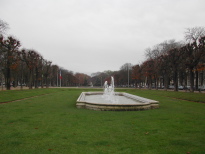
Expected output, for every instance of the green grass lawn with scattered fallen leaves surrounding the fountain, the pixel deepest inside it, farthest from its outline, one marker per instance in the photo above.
(52, 124)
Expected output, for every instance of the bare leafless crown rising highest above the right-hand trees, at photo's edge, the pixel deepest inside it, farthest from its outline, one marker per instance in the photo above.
(193, 34)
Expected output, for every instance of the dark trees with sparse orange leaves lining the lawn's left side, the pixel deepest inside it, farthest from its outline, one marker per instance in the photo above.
(28, 67)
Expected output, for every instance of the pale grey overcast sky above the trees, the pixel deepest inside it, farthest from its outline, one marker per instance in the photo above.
(88, 36)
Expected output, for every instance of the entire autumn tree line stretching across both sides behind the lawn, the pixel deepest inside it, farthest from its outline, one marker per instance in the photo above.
(168, 64)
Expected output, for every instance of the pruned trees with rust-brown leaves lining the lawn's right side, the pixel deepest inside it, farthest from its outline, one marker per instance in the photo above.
(174, 63)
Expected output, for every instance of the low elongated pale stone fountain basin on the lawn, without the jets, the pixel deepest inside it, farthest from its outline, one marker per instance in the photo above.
(124, 102)
